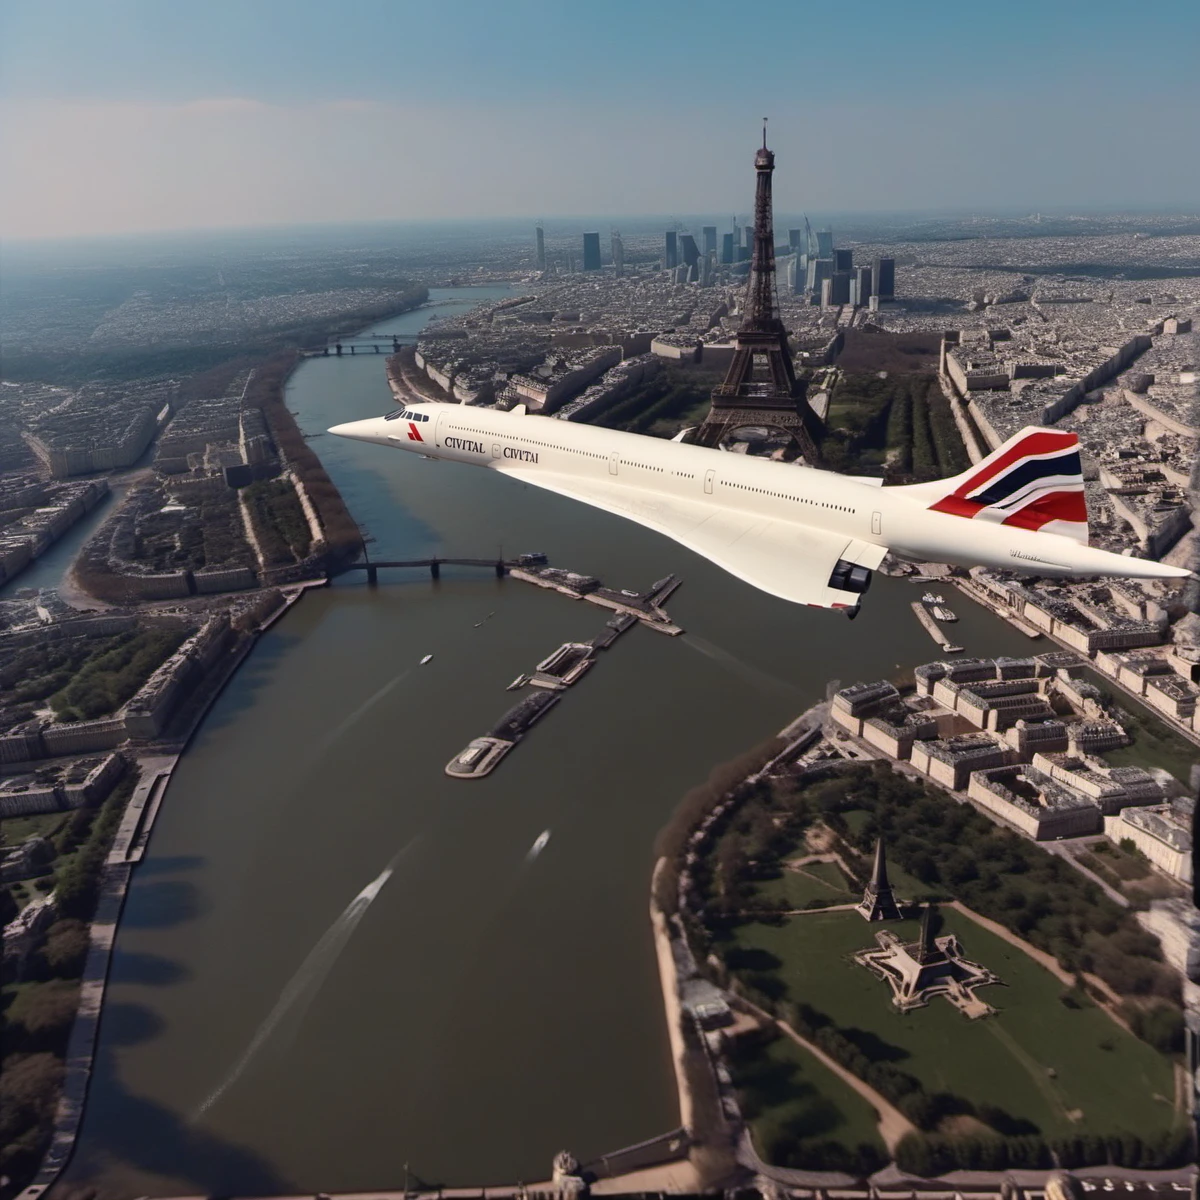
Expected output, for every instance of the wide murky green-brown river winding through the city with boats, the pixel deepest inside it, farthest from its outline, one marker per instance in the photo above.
(335, 961)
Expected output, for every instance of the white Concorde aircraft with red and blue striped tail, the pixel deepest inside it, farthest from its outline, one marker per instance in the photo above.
(808, 536)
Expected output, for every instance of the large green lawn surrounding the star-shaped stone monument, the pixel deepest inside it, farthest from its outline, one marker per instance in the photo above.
(1115, 1081)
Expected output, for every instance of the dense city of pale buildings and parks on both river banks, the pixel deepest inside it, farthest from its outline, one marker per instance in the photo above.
(1051, 859)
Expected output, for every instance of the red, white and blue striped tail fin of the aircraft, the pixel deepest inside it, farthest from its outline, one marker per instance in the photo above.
(1034, 482)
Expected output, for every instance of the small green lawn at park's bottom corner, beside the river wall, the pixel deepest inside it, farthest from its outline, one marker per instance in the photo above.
(785, 1088)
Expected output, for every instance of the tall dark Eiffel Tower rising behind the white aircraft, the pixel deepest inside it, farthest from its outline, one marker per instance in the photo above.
(760, 387)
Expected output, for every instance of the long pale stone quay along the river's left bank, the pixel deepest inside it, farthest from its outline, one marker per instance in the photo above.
(127, 851)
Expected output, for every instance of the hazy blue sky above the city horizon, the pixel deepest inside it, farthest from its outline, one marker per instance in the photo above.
(124, 116)
